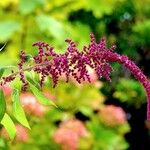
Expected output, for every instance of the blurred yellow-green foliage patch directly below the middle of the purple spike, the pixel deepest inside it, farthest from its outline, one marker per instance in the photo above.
(72, 98)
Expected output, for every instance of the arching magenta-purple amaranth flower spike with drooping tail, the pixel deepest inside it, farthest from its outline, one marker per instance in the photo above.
(74, 64)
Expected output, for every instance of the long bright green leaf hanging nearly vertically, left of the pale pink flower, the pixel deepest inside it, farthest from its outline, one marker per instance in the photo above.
(18, 111)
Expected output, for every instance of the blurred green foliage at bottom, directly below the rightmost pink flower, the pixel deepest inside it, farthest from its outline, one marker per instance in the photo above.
(111, 138)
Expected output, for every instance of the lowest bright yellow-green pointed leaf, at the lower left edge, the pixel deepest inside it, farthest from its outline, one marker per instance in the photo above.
(9, 126)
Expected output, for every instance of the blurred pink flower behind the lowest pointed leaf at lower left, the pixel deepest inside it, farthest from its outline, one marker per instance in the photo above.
(22, 134)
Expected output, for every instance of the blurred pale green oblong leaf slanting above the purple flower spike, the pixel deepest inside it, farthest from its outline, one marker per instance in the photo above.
(50, 26)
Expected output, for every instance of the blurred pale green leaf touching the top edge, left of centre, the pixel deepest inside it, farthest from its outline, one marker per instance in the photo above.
(28, 6)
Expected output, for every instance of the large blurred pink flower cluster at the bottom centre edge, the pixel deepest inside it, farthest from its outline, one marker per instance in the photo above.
(69, 134)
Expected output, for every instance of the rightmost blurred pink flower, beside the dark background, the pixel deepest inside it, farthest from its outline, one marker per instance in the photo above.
(112, 115)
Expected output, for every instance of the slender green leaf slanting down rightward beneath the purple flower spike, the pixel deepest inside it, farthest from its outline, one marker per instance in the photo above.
(40, 97)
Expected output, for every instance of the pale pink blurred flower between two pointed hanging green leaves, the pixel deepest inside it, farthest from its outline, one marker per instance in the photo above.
(31, 105)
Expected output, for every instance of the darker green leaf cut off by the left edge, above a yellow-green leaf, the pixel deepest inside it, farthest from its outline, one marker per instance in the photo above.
(2, 105)
